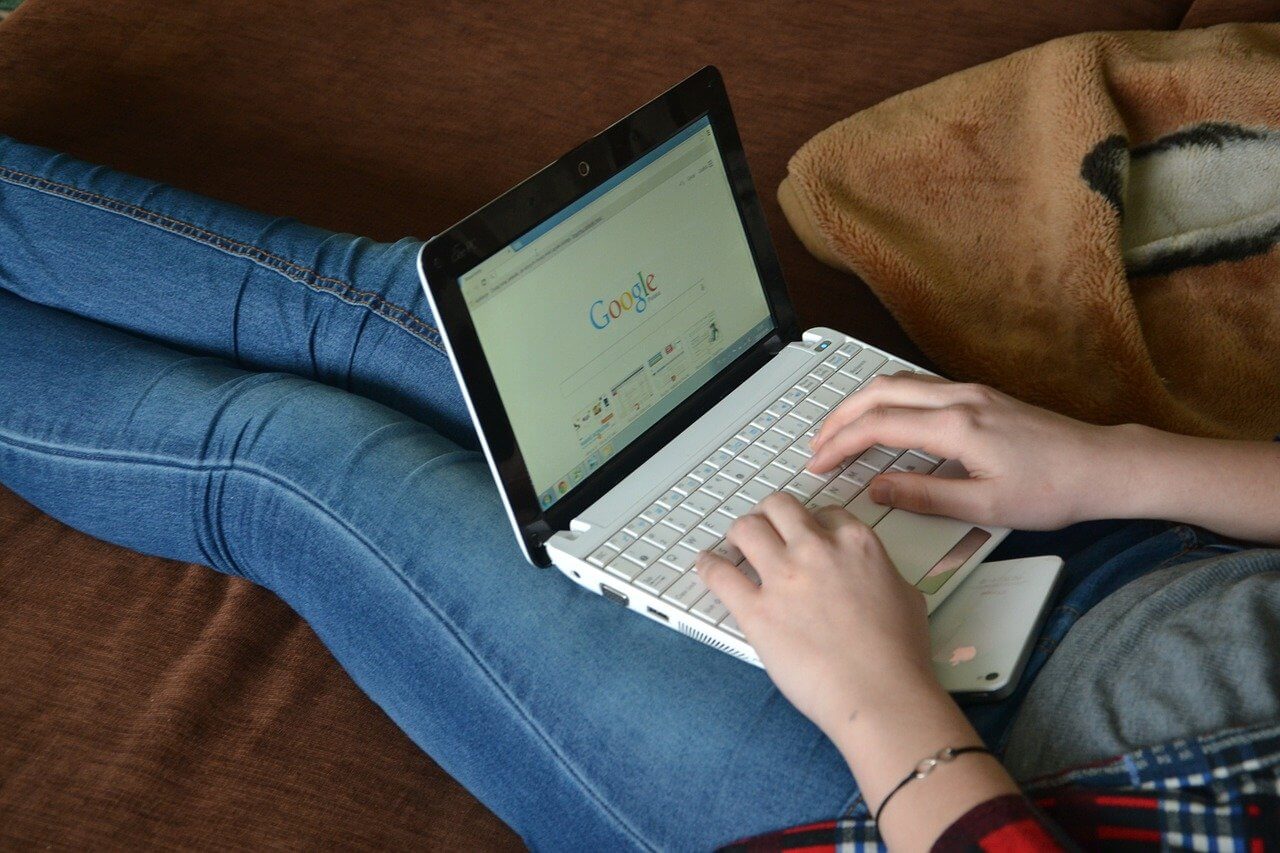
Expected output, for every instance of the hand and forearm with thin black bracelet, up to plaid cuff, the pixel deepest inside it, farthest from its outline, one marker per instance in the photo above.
(847, 641)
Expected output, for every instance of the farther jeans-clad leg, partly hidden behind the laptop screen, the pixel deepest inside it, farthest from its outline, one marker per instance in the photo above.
(207, 277)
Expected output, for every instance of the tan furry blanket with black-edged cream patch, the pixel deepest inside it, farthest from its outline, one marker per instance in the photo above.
(1089, 225)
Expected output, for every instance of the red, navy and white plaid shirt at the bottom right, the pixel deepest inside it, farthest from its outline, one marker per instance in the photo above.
(1213, 793)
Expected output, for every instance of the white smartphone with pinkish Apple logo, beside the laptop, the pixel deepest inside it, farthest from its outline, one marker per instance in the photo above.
(982, 635)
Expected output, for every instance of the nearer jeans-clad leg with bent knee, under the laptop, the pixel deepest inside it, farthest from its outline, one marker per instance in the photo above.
(575, 722)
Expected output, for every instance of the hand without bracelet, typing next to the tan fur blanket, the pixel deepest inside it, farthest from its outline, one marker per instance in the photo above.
(1028, 468)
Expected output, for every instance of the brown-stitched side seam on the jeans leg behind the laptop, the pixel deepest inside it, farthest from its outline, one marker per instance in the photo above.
(291, 271)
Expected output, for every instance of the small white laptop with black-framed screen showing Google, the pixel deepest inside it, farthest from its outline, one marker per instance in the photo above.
(623, 335)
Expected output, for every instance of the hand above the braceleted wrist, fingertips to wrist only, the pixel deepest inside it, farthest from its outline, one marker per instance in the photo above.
(833, 622)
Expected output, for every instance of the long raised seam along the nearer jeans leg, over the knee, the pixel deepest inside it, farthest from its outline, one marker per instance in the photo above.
(324, 510)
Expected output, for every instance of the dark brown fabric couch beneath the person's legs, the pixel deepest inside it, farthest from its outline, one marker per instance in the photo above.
(150, 704)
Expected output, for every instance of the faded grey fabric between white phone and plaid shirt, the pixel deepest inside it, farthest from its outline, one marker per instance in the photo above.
(1185, 651)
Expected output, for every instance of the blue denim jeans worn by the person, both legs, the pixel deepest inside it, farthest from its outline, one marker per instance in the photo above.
(202, 382)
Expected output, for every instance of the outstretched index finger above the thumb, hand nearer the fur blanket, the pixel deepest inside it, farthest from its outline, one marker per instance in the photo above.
(936, 431)
